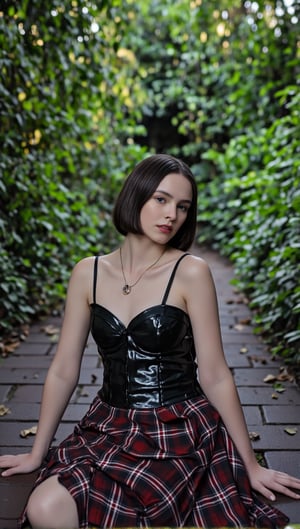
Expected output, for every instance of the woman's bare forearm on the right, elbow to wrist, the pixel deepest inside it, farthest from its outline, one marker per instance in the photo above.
(224, 397)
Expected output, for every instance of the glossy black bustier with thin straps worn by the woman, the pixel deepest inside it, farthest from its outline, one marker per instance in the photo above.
(149, 363)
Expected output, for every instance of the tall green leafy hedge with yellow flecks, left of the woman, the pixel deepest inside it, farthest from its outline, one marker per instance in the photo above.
(62, 96)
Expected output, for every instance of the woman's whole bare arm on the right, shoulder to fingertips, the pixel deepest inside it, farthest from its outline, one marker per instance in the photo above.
(217, 382)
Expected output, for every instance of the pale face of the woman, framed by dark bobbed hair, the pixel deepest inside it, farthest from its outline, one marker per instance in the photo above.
(165, 212)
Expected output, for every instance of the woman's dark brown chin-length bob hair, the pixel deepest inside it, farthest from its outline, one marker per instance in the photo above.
(139, 187)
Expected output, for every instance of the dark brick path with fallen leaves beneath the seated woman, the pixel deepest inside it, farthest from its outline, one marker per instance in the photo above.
(22, 375)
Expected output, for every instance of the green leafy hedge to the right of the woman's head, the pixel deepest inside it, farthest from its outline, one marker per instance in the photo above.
(258, 222)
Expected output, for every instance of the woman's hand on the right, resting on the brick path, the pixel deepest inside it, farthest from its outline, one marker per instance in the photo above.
(266, 481)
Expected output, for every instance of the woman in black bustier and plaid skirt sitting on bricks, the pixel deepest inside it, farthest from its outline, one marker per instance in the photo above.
(156, 447)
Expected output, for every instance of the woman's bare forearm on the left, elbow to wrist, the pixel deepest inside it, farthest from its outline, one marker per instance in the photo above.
(56, 395)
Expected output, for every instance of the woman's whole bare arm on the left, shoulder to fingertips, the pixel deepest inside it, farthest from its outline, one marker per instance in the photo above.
(63, 373)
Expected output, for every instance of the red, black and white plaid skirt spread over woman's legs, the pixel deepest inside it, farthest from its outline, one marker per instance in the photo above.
(169, 466)
